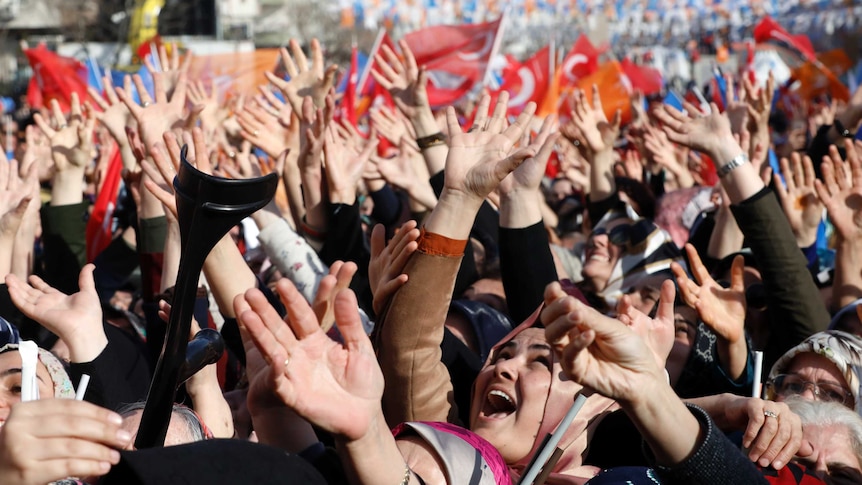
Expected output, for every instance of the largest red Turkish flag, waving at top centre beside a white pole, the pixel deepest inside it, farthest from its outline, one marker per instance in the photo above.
(456, 57)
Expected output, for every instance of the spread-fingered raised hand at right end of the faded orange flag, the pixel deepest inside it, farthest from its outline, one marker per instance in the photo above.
(305, 80)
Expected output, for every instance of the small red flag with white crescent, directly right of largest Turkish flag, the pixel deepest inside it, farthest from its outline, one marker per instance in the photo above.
(528, 81)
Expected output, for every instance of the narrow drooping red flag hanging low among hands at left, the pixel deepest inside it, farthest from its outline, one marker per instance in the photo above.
(99, 231)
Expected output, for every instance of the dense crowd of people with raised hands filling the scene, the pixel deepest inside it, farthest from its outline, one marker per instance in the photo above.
(438, 296)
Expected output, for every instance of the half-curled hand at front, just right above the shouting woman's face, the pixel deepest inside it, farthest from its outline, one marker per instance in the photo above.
(598, 352)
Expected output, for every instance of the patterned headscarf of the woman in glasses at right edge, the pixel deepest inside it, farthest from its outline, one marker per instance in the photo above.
(843, 349)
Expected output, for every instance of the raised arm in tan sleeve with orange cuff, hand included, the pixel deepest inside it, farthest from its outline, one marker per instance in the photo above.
(409, 333)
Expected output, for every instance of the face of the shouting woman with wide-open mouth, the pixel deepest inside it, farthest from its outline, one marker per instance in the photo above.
(510, 394)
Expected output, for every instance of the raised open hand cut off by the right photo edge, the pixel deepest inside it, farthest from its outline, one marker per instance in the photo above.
(841, 190)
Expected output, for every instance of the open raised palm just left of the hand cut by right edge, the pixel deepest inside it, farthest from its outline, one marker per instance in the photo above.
(799, 198)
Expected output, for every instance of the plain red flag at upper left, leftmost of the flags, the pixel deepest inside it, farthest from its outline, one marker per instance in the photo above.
(55, 77)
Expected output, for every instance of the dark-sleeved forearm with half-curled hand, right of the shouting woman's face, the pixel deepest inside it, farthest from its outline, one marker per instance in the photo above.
(607, 356)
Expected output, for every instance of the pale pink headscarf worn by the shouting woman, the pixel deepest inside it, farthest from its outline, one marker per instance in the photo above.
(575, 442)
